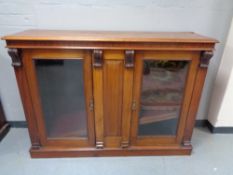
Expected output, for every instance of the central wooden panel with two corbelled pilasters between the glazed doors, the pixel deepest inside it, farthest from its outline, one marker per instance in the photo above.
(113, 82)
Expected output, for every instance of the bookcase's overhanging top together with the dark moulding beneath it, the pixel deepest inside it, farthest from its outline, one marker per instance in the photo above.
(64, 39)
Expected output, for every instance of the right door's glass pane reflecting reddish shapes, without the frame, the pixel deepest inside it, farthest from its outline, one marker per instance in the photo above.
(161, 96)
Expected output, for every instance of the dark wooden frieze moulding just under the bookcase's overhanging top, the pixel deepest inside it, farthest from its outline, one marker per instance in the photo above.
(109, 45)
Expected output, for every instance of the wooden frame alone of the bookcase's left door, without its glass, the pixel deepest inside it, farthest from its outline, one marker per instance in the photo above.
(30, 73)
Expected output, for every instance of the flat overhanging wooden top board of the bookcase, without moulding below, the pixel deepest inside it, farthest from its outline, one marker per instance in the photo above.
(109, 36)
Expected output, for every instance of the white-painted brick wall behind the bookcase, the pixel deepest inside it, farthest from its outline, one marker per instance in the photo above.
(207, 17)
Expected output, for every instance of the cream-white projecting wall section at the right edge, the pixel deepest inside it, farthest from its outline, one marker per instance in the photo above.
(221, 110)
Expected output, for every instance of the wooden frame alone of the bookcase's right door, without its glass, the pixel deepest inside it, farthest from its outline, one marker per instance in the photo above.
(193, 57)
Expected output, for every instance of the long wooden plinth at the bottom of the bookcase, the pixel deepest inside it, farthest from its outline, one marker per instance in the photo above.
(132, 151)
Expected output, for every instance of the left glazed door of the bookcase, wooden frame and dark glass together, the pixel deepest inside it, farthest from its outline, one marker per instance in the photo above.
(61, 90)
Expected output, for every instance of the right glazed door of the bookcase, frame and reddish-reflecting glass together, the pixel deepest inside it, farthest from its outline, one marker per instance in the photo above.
(163, 87)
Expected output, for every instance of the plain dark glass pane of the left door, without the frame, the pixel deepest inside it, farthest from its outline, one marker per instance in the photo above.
(61, 89)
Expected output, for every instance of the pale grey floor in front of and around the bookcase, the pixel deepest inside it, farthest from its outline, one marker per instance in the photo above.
(212, 155)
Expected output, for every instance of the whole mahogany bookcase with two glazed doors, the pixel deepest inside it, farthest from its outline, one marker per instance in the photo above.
(89, 93)
